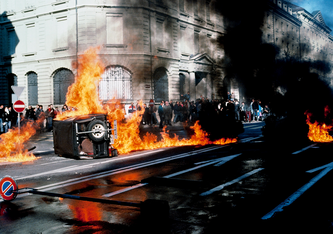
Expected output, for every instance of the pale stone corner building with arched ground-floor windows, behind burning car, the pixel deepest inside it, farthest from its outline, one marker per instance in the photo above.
(151, 49)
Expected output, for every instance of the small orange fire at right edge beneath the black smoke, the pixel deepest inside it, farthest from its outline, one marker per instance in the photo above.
(318, 132)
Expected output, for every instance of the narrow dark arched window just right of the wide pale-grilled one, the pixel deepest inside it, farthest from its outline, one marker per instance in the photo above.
(161, 85)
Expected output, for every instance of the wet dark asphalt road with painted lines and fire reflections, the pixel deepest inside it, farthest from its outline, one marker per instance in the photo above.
(252, 185)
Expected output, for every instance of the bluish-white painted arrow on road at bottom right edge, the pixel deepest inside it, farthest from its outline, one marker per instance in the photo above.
(300, 191)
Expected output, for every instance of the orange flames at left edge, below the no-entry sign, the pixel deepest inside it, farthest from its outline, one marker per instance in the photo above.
(12, 148)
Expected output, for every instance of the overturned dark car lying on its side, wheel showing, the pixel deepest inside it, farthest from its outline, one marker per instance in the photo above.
(86, 135)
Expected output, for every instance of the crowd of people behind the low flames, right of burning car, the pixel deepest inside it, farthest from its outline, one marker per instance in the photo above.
(189, 111)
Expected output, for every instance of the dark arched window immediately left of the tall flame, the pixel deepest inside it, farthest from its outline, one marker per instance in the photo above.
(62, 79)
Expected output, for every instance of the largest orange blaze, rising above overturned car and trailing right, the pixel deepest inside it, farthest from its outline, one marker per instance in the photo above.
(83, 96)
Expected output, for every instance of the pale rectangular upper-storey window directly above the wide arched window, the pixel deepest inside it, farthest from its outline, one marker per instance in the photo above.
(114, 29)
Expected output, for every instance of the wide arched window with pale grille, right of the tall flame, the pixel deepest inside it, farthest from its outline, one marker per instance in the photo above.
(116, 83)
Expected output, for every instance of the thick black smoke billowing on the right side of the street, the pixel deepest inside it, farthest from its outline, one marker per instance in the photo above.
(289, 83)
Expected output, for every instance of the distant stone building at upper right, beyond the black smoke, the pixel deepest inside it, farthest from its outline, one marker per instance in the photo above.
(298, 33)
